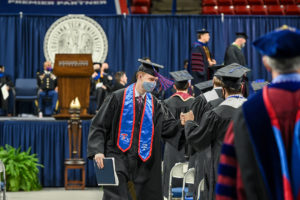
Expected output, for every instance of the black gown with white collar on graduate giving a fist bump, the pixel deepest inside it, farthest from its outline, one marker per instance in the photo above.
(210, 133)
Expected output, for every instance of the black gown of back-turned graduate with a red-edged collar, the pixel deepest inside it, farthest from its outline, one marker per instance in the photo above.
(176, 105)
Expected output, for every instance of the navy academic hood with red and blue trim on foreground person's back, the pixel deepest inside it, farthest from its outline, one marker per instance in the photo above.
(281, 177)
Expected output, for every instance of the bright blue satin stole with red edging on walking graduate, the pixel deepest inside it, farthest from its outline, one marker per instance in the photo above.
(128, 120)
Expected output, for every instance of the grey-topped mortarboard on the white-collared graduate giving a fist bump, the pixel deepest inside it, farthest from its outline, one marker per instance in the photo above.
(231, 75)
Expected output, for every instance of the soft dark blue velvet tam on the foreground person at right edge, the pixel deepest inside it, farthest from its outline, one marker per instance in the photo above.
(281, 43)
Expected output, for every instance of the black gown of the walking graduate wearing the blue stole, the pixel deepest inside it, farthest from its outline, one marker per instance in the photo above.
(103, 138)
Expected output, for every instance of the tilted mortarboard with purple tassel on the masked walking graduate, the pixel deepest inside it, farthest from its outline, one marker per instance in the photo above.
(153, 69)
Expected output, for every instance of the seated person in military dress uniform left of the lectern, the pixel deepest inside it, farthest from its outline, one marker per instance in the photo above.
(47, 83)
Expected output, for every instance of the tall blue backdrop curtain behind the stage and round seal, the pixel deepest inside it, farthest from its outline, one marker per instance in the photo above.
(165, 39)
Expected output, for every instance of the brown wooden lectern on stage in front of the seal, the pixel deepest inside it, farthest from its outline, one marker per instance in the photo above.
(73, 72)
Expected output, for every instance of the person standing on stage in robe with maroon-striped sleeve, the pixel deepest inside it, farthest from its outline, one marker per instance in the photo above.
(201, 58)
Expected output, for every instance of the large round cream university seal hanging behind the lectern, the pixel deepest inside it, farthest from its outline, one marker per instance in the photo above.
(76, 34)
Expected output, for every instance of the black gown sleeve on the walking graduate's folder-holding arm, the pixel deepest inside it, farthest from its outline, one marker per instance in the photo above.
(101, 125)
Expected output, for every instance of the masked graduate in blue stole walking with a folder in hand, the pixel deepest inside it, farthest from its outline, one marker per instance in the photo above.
(108, 137)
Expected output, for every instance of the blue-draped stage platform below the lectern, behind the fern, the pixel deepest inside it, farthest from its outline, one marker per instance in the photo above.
(48, 138)
